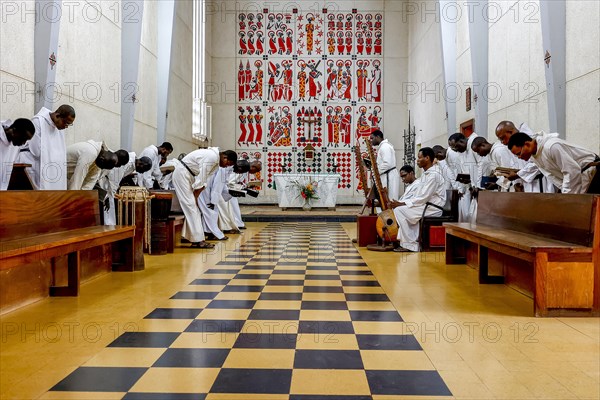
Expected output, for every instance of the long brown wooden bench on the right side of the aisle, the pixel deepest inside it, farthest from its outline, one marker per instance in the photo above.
(547, 246)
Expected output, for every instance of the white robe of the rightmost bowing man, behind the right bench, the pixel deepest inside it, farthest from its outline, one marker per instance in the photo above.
(562, 163)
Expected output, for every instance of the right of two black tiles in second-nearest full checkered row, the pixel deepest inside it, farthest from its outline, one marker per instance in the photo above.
(328, 359)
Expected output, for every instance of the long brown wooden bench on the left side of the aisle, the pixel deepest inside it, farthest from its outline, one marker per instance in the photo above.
(41, 226)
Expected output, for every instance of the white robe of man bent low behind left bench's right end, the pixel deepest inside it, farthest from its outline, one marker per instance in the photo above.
(82, 171)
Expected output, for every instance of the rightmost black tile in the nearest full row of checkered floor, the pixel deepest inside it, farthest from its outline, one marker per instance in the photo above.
(407, 383)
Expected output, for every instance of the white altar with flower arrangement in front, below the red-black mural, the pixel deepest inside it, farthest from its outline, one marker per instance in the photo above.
(288, 194)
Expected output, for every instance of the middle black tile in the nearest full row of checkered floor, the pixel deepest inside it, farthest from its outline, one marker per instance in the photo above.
(267, 381)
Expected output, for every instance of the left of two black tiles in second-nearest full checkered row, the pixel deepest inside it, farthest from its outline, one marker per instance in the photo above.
(192, 358)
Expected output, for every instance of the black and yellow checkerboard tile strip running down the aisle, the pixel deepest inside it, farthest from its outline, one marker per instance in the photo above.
(294, 313)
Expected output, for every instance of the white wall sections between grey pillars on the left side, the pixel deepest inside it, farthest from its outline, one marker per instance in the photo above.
(88, 73)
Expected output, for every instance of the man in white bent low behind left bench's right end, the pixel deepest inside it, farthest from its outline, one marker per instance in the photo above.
(85, 162)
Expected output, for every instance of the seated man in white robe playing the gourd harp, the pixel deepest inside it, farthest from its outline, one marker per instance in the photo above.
(430, 187)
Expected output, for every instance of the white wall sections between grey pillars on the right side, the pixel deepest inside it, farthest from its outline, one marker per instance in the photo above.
(516, 69)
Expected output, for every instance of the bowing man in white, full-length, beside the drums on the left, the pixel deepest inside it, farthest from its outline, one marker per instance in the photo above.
(190, 178)
